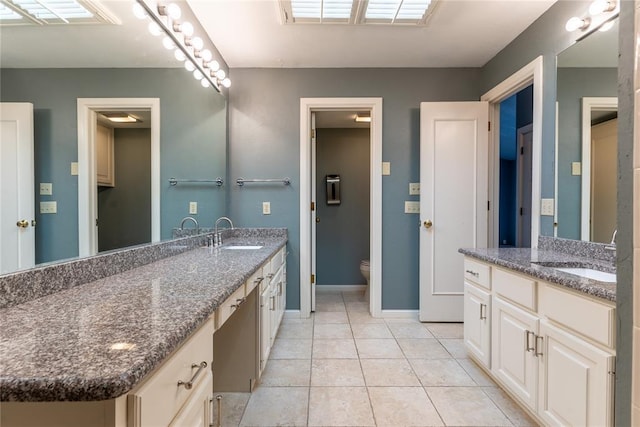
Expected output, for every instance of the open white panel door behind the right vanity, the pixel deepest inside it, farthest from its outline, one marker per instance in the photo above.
(453, 202)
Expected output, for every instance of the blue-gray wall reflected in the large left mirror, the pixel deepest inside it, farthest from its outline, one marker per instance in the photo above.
(193, 141)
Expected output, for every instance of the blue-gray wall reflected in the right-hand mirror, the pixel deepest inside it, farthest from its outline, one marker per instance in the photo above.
(573, 85)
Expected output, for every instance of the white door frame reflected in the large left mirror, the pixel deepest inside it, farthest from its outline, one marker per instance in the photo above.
(87, 181)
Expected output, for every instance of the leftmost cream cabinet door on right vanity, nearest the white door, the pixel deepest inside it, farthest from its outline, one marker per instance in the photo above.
(477, 323)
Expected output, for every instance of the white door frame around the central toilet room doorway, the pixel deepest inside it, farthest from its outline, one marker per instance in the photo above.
(307, 105)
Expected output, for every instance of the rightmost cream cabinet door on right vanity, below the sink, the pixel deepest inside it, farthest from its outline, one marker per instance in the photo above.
(576, 380)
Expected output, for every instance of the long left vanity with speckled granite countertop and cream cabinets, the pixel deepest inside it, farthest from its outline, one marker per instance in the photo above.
(149, 346)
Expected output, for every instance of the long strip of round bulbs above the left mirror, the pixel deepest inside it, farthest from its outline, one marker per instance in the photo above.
(180, 36)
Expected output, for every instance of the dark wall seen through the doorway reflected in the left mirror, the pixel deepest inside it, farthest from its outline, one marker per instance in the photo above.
(124, 211)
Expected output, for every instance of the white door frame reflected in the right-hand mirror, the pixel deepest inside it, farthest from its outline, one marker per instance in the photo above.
(589, 104)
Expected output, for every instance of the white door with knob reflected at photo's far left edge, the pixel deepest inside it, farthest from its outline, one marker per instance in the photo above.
(17, 216)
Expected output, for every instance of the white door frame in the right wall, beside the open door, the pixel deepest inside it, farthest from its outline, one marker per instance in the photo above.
(527, 75)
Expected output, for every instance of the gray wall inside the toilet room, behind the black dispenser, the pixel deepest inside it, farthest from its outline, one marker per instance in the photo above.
(343, 230)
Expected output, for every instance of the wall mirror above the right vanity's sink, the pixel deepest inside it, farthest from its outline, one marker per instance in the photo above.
(587, 79)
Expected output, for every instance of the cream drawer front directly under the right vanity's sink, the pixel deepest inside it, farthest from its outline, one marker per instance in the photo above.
(590, 318)
